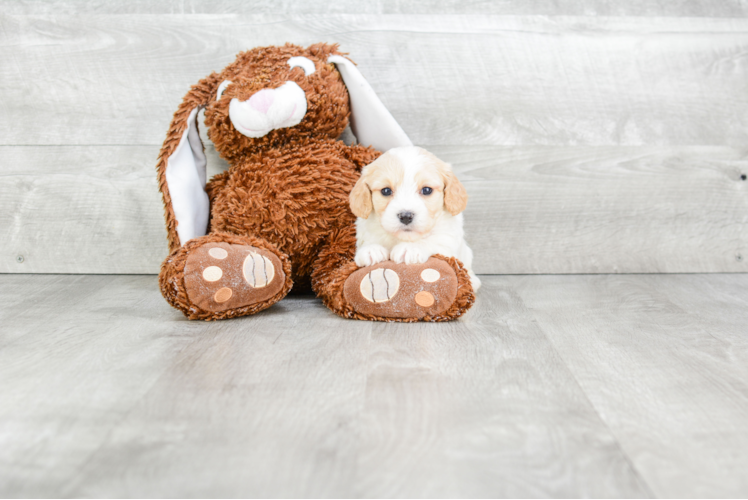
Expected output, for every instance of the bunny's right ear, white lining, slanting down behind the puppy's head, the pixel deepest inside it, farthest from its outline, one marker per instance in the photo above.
(371, 122)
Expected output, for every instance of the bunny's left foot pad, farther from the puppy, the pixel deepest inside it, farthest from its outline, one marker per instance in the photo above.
(222, 276)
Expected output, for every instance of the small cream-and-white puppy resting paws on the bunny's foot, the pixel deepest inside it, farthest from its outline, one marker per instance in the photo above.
(409, 206)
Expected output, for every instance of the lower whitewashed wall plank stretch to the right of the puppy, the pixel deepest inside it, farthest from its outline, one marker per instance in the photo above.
(554, 210)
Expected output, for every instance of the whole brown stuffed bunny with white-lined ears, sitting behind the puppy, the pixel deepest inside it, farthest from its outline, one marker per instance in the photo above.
(279, 216)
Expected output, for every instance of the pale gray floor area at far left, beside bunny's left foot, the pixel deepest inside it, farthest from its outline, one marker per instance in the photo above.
(97, 337)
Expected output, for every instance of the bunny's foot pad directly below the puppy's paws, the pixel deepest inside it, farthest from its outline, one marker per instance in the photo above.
(402, 291)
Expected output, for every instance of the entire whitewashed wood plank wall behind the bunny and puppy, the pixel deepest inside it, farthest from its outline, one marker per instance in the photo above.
(593, 136)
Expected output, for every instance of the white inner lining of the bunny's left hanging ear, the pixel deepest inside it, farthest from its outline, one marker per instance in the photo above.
(185, 179)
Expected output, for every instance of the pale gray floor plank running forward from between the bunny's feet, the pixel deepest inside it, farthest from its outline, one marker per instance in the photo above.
(266, 407)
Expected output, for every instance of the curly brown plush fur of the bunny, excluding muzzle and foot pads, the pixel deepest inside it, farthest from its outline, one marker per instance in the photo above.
(285, 192)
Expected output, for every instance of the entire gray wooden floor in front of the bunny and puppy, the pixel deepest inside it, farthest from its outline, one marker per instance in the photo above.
(552, 386)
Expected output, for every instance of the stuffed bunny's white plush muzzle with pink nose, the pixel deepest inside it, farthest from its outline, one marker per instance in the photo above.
(268, 109)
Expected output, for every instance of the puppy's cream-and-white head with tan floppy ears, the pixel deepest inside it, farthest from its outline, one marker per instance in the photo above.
(409, 189)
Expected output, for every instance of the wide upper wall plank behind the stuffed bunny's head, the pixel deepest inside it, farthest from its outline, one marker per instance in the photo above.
(470, 79)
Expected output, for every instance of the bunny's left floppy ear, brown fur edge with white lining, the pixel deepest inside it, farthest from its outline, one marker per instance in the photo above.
(181, 169)
